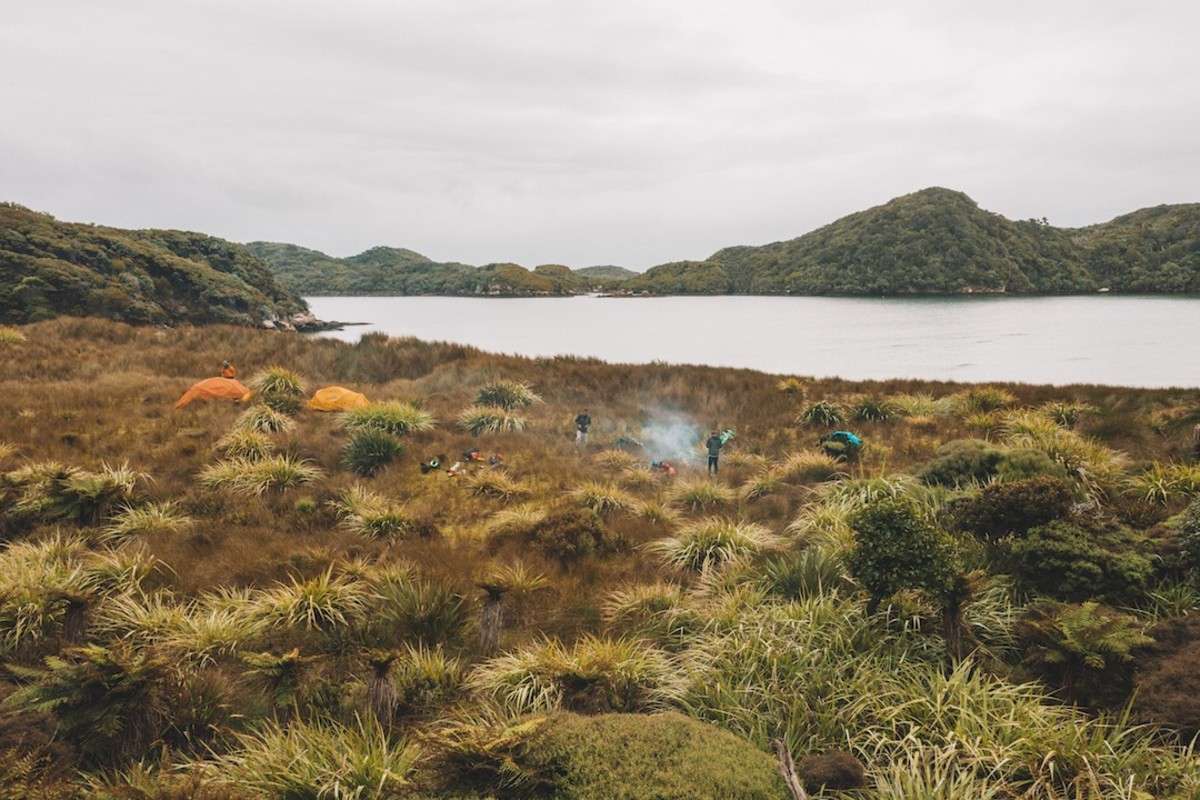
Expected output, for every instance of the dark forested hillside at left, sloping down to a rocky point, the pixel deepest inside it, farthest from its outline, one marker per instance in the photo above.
(52, 269)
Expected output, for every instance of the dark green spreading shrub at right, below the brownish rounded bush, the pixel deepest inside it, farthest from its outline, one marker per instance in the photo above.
(1076, 562)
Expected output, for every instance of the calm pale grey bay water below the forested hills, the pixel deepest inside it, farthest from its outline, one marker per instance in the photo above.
(1118, 341)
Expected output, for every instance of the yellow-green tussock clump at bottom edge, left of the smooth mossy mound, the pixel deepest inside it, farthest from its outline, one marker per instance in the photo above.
(316, 760)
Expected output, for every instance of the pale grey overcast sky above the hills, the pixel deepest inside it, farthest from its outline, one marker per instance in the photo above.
(589, 133)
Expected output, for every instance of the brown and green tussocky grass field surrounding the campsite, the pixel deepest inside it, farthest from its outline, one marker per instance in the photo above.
(259, 600)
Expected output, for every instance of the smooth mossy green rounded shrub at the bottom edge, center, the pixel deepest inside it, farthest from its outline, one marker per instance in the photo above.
(638, 757)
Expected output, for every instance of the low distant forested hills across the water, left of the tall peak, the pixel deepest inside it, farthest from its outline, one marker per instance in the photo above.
(397, 272)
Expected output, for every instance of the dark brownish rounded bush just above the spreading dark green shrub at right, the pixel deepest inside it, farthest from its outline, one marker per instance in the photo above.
(1005, 509)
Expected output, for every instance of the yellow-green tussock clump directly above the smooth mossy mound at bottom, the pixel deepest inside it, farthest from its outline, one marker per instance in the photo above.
(592, 676)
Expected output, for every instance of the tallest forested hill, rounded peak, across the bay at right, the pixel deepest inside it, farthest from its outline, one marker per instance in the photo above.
(939, 242)
